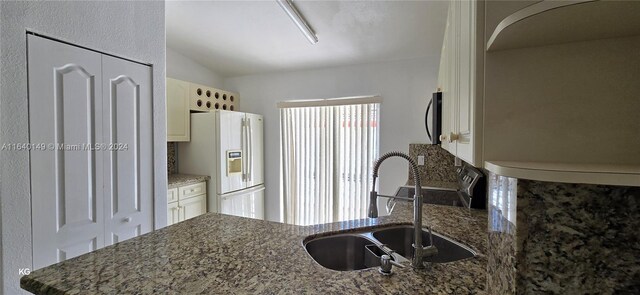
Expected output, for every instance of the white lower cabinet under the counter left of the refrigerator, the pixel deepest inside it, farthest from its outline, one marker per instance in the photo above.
(186, 202)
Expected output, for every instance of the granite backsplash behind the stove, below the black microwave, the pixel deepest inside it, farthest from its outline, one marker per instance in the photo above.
(438, 170)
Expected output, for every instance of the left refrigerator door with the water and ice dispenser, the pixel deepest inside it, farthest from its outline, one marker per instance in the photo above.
(230, 139)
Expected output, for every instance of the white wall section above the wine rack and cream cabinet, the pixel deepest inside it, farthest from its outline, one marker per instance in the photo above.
(184, 68)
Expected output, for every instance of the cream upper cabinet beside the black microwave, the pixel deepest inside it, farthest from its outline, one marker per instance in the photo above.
(460, 80)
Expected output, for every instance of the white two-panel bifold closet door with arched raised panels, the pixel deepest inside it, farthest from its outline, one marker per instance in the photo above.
(91, 180)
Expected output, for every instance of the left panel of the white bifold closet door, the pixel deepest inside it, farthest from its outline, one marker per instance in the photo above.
(64, 109)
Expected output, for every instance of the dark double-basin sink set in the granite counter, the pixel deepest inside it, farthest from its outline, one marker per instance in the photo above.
(349, 251)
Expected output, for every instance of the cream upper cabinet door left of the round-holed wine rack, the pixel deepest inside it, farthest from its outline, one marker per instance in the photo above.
(178, 120)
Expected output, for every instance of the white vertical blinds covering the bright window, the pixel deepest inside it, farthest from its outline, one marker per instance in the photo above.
(327, 156)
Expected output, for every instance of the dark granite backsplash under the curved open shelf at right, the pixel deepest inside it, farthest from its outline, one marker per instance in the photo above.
(565, 239)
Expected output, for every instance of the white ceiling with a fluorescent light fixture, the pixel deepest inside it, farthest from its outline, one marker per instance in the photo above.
(235, 38)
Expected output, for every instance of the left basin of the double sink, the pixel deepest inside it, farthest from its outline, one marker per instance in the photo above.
(340, 252)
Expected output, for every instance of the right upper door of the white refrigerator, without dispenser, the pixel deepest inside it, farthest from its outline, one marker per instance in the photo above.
(256, 150)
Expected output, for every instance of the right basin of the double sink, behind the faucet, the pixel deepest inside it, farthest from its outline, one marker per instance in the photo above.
(400, 239)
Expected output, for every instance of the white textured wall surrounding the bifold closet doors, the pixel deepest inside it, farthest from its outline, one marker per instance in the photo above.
(130, 29)
